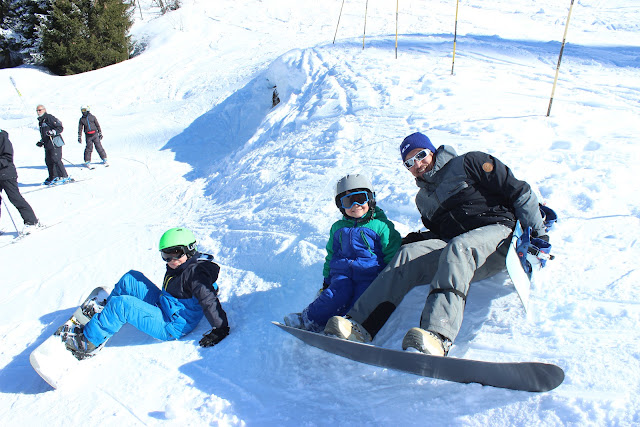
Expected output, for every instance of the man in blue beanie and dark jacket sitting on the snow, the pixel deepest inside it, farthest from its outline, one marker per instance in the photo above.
(470, 204)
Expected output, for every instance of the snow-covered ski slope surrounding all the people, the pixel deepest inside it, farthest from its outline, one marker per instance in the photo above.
(192, 140)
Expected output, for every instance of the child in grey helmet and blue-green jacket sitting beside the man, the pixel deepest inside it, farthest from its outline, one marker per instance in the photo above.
(360, 246)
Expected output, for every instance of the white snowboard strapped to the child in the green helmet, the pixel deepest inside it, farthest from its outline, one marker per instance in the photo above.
(51, 359)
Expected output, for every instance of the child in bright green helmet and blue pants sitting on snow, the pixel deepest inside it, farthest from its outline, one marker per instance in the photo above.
(188, 293)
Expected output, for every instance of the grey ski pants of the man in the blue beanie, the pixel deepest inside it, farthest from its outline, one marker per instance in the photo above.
(449, 267)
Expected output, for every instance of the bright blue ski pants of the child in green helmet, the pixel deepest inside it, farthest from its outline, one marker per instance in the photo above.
(134, 300)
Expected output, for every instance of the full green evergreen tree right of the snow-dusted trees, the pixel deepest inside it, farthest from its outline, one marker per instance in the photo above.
(84, 35)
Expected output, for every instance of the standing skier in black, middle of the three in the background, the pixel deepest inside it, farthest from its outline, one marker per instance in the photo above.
(49, 128)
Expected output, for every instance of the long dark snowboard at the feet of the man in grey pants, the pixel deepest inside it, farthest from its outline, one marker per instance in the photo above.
(524, 376)
